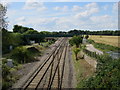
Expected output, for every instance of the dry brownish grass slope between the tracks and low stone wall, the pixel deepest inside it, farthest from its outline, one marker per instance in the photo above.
(83, 69)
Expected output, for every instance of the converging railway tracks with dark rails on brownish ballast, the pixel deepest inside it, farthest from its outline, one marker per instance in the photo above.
(50, 73)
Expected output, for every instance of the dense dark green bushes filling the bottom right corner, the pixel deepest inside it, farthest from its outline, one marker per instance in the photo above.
(107, 74)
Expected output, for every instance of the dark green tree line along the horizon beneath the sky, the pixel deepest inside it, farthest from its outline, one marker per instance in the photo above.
(26, 30)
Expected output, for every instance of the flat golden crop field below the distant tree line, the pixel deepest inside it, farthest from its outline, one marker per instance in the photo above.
(110, 40)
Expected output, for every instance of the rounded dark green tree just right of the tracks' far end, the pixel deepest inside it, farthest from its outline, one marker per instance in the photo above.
(76, 40)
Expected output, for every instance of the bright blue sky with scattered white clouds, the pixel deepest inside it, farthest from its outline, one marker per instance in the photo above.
(63, 16)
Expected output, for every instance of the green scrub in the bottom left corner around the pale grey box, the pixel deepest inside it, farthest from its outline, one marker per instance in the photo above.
(7, 78)
